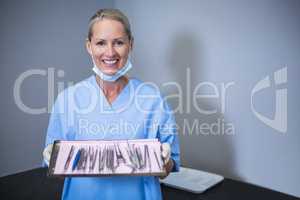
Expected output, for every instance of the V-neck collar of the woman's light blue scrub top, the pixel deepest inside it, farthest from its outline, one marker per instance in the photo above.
(120, 101)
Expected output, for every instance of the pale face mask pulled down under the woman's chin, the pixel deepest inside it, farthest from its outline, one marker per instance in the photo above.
(112, 78)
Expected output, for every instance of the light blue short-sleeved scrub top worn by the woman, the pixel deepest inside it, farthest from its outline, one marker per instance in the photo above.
(81, 112)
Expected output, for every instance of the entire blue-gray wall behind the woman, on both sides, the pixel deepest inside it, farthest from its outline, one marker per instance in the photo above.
(219, 41)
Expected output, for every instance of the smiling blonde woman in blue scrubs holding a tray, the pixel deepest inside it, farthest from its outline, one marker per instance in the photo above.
(111, 99)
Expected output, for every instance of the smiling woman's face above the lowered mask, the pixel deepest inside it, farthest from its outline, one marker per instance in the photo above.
(109, 45)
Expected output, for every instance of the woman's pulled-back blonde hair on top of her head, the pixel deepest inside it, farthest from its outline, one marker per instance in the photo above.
(113, 14)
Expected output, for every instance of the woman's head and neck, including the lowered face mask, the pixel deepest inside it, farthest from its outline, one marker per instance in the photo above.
(109, 43)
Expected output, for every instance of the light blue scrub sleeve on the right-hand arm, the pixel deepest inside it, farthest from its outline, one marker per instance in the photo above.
(168, 133)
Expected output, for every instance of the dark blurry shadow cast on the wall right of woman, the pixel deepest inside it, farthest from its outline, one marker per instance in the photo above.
(206, 147)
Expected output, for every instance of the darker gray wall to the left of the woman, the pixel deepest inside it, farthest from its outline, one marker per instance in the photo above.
(38, 35)
